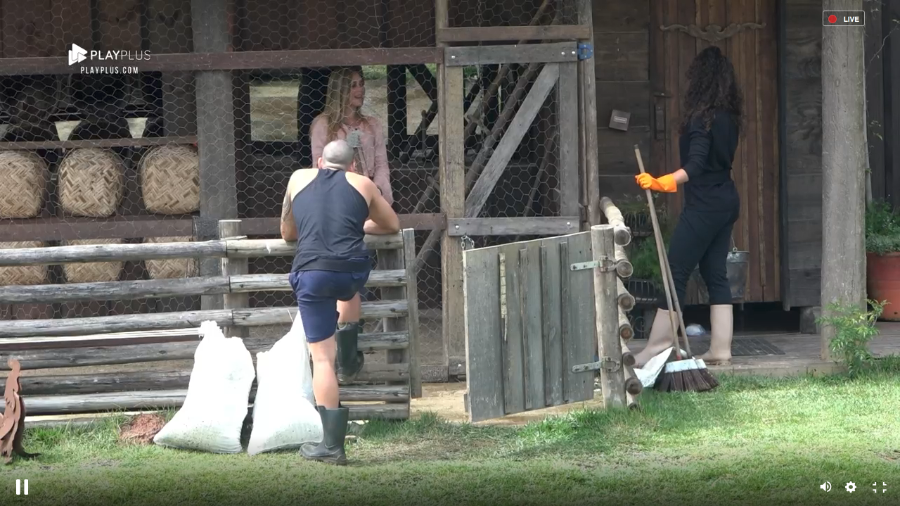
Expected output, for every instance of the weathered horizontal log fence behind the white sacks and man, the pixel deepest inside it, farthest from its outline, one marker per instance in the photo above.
(55, 352)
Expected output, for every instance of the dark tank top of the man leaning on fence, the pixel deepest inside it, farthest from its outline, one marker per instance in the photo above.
(330, 214)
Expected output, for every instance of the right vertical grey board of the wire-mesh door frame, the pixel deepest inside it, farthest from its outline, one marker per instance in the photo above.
(567, 116)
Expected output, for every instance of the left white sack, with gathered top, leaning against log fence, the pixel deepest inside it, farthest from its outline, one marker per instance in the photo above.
(214, 410)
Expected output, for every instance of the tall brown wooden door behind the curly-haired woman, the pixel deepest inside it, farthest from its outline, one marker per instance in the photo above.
(746, 31)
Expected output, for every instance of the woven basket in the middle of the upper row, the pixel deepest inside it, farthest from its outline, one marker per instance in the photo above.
(91, 182)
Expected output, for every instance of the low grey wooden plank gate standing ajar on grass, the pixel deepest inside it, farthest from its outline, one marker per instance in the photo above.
(529, 318)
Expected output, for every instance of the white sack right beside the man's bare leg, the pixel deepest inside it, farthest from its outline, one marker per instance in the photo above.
(284, 413)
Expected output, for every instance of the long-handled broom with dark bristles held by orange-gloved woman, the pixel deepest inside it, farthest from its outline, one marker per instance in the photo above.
(681, 373)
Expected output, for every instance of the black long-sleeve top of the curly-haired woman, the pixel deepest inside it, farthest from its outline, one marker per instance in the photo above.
(706, 156)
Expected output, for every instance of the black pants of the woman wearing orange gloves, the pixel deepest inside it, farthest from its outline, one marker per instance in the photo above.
(702, 237)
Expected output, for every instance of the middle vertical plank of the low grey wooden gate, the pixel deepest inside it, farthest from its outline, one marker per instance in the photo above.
(530, 280)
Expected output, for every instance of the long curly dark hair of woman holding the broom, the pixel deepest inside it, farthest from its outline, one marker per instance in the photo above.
(712, 87)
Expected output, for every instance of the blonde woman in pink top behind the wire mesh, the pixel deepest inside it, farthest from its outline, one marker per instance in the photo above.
(343, 119)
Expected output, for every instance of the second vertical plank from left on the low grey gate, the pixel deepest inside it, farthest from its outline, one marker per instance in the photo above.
(513, 344)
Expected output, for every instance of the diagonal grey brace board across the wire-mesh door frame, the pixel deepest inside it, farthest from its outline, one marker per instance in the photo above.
(510, 142)
